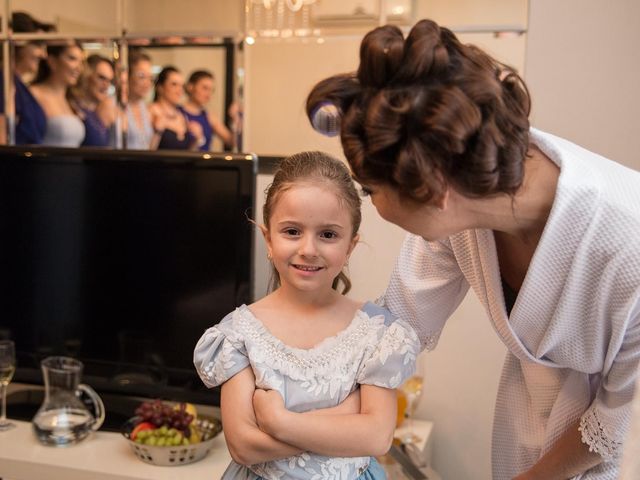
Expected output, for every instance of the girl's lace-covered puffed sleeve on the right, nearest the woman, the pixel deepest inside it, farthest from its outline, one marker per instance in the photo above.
(392, 359)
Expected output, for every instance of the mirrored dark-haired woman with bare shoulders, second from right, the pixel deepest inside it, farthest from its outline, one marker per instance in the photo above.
(176, 132)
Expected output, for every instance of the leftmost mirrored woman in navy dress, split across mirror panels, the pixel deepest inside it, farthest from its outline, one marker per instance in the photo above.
(30, 120)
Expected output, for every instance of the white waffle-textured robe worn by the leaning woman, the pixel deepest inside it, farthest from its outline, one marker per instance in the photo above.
(573, 336)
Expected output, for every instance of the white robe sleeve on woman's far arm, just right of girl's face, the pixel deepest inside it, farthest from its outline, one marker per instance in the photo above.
(426, 287)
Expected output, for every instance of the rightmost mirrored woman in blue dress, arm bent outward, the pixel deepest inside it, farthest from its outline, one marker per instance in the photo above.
(200, 87)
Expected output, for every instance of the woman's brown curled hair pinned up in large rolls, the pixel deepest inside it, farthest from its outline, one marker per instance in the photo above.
(427, 111)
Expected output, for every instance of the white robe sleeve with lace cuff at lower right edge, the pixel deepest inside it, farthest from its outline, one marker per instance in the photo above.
(605, 423)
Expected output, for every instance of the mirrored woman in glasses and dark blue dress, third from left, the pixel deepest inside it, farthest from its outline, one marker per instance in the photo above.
(97, 107)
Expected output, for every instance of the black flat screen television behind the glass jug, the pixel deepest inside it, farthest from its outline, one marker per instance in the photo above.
(121, 259)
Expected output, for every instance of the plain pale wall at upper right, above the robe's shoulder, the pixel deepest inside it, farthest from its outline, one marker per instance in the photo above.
(583, 70)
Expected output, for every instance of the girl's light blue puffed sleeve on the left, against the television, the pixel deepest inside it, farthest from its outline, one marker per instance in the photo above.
(220, 353)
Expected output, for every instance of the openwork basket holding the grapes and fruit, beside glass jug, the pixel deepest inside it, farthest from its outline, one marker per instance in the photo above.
(208, 428)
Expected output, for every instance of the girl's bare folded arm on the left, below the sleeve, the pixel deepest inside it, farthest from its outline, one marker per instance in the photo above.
(246, 442)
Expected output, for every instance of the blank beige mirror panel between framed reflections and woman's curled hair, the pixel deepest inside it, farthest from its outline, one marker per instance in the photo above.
(279, 76)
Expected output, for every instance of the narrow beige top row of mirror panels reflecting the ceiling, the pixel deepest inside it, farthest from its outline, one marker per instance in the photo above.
(227, 17)
